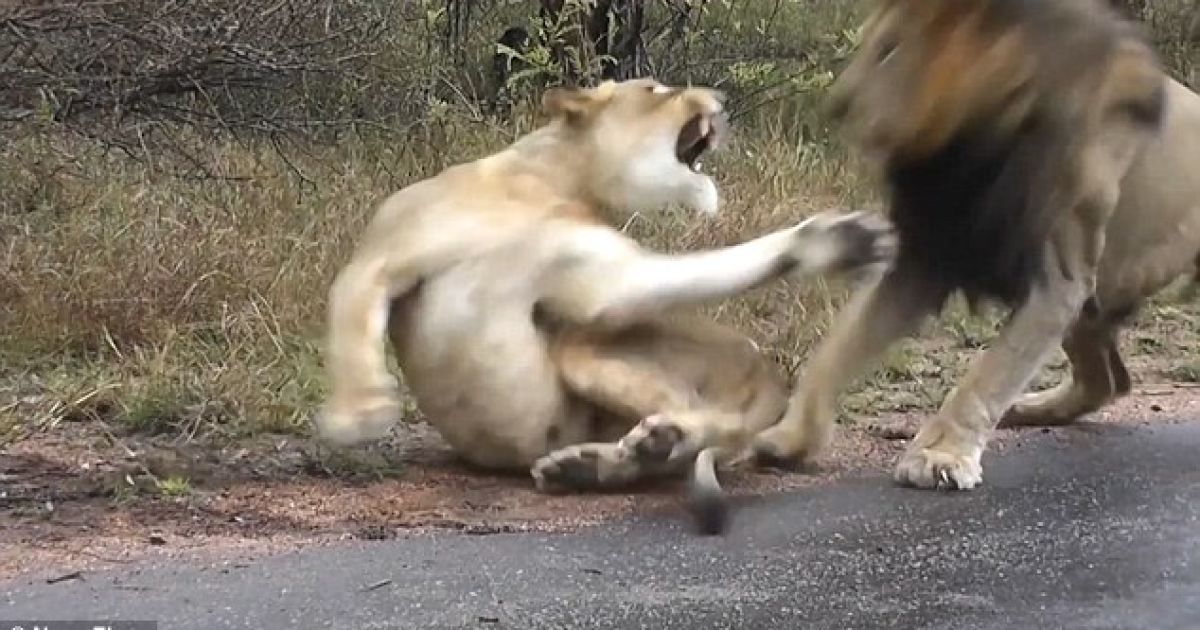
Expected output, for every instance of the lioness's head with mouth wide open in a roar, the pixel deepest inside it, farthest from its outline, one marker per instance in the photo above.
(645, 141)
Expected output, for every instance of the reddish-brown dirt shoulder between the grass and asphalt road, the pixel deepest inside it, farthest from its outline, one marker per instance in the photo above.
(75, 499)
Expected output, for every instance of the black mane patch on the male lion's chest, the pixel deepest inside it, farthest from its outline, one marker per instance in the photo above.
(975, 217)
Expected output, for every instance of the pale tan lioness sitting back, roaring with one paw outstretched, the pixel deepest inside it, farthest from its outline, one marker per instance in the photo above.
(533, 334)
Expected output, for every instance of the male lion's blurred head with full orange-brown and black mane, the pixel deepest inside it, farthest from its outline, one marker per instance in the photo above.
(979, 113)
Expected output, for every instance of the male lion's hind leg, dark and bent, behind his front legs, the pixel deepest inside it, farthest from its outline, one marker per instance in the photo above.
(1097, 377)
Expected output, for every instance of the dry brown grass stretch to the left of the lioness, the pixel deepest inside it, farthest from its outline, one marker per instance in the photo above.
(182, 302)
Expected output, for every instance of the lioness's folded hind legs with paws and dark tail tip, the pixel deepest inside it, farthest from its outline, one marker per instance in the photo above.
(674, 397)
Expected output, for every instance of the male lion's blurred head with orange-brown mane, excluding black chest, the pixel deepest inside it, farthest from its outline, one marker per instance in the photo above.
(929, 71)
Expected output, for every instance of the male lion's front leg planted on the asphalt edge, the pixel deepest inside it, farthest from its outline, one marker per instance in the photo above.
(947, 451)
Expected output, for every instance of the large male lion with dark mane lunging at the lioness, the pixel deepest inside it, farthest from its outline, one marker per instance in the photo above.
(1035, 154)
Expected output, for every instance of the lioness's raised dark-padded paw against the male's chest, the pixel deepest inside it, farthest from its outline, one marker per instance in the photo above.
(841, 242)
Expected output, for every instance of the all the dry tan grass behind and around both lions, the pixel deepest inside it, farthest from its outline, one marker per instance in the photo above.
(194, 308)
